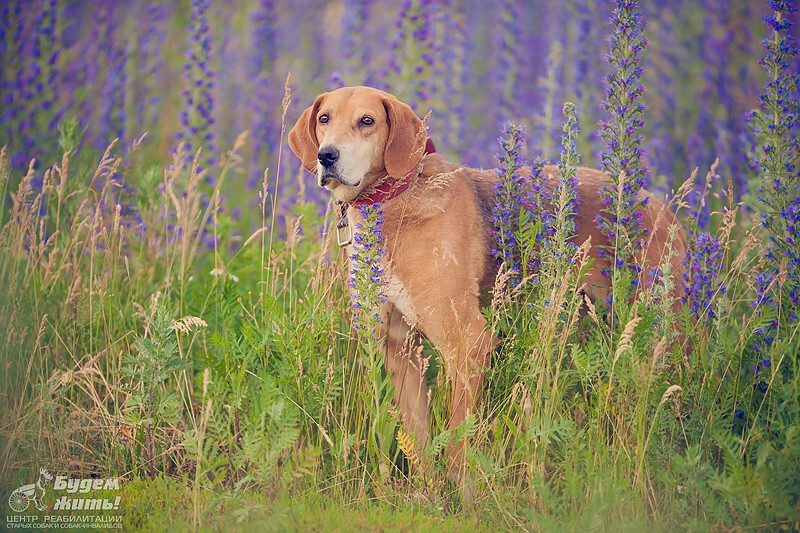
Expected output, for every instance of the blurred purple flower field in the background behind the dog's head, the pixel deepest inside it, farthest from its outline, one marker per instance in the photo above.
(201, 72)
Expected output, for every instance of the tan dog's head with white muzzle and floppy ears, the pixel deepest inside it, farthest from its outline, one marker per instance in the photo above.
(353, 136)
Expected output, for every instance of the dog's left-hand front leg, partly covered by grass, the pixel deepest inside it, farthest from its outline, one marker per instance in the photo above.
(406, 366)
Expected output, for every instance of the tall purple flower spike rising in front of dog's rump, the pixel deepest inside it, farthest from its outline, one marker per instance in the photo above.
(622, 160)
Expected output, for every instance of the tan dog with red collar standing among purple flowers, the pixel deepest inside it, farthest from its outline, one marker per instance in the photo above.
(365, 146)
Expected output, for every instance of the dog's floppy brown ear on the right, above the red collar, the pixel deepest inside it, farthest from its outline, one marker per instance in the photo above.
(406, 143)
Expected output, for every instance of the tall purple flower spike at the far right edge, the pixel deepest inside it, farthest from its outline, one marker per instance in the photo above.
(775, 127)
